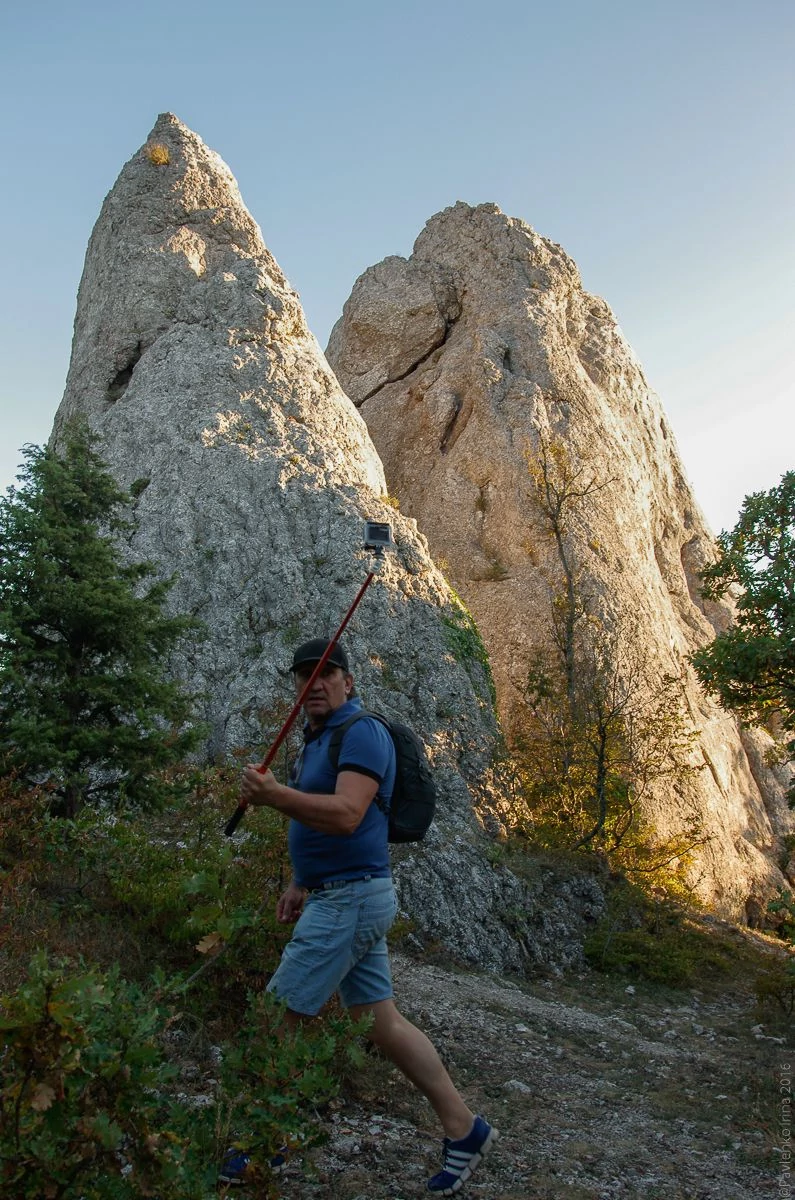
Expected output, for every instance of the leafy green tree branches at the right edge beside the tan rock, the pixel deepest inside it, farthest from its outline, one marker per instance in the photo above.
(752, 667)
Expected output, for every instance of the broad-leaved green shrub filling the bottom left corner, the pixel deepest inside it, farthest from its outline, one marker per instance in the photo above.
(80, 1083)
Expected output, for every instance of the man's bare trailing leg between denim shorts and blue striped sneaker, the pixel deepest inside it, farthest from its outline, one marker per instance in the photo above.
(416, 1057)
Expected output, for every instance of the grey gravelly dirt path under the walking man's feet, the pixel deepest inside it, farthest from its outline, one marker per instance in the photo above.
(600, 1091)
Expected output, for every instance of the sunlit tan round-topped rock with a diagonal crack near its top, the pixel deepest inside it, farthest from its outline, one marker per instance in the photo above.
(467, 362)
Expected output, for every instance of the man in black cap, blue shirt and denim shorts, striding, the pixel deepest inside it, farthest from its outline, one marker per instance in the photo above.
(344, 899)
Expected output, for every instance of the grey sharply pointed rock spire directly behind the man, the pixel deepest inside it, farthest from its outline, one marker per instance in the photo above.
(253, 475)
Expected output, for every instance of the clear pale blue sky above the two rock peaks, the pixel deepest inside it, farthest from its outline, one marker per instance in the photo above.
(655, 142)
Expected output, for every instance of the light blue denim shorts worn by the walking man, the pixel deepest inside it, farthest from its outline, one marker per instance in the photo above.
(339, 945)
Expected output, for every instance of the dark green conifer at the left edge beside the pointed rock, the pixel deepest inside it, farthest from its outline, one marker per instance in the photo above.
(85, 699)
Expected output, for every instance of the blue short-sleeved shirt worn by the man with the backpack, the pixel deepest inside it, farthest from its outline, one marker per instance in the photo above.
(324, 857)
